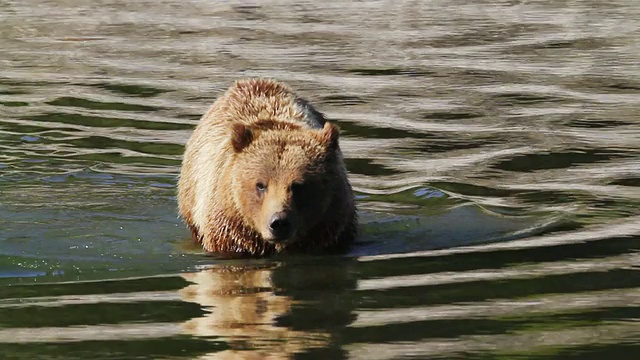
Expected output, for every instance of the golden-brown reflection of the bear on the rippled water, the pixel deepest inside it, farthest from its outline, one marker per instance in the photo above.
(261, 311)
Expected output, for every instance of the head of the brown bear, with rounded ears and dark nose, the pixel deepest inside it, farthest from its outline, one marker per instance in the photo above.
(284, 177)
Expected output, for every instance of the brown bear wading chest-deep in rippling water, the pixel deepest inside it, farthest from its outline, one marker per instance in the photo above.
(263, 173)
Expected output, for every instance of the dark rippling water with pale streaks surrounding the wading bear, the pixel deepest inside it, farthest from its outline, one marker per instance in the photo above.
(494, 146)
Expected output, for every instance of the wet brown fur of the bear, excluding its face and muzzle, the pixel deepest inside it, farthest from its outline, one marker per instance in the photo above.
(252, 114)
